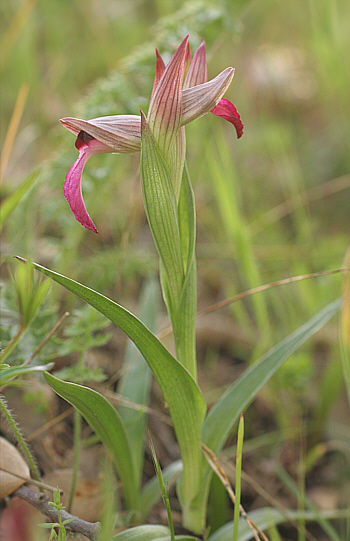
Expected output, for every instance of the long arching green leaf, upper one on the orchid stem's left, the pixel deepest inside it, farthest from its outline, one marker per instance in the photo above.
(180, 391)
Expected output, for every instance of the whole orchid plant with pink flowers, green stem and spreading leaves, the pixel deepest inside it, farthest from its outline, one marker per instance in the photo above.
(180, 95)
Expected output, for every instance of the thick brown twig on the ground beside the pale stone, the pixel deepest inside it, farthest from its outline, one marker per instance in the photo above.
(40, 501)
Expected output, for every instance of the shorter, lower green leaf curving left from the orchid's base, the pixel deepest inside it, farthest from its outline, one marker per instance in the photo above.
(106, 422)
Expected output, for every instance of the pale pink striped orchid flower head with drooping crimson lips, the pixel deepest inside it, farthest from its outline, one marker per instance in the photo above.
(181, 94)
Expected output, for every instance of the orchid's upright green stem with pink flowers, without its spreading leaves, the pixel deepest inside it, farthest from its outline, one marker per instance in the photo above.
(181, 94)
